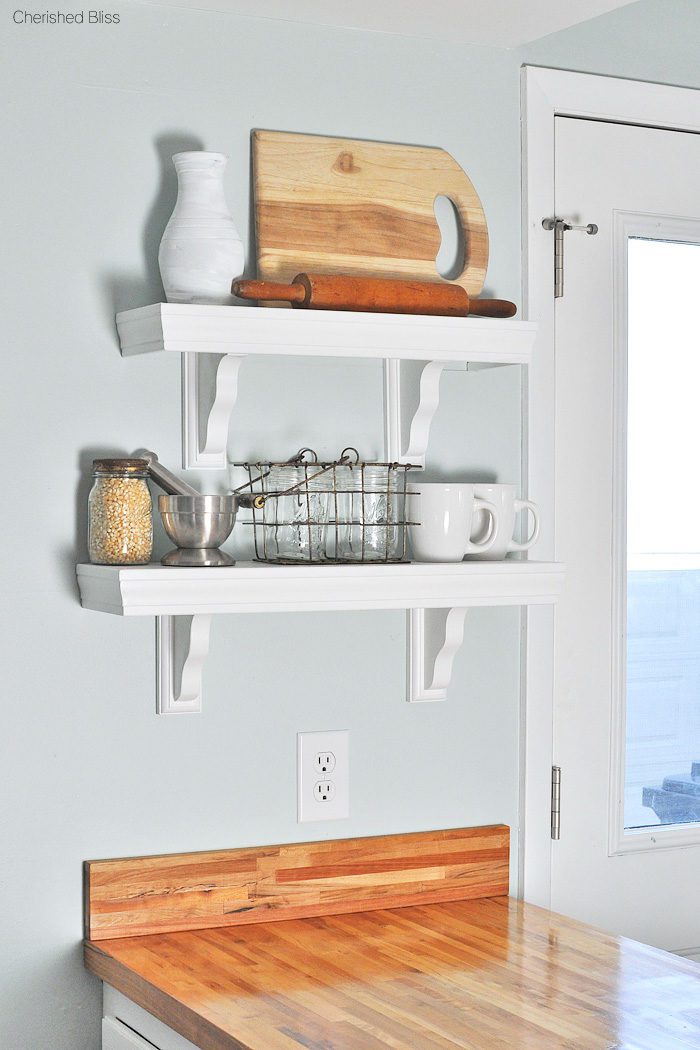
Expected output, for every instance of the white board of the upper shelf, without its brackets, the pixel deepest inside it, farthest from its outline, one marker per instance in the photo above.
(324, 333)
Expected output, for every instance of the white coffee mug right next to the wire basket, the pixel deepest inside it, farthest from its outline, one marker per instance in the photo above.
(447, 515)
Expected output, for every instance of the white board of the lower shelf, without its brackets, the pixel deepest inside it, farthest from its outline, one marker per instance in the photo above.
(157, 591)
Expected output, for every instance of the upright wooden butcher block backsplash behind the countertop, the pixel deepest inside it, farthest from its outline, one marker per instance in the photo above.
(230, 888)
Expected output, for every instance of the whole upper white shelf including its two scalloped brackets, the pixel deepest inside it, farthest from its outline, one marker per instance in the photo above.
(215, 342)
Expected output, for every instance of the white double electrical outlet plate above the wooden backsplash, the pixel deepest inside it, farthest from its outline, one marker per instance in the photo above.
(324, 776)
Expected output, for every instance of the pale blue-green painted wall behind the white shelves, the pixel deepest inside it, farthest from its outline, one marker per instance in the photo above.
(93, 116)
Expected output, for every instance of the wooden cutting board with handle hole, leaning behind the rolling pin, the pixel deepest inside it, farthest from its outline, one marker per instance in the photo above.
(347, 206)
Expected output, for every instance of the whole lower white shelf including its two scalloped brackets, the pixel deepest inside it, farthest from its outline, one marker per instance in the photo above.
(437, 597)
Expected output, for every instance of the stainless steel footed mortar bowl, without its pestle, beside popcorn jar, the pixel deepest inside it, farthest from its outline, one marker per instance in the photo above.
(198, 523)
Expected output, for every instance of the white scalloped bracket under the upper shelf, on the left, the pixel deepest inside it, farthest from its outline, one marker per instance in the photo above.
(210, 389)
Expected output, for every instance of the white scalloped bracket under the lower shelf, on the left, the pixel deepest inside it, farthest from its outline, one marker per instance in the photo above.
(182, 648)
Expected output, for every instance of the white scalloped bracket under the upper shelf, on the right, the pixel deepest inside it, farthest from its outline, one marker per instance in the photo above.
(412, 395)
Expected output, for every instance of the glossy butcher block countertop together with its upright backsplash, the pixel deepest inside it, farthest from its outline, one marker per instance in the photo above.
(483, 973)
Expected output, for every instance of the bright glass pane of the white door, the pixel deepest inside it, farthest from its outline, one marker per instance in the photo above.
(663, 746)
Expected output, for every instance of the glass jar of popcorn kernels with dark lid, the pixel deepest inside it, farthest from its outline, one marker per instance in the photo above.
(120, 513)
